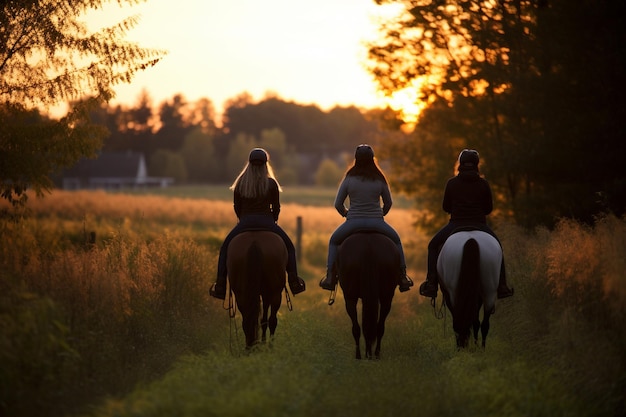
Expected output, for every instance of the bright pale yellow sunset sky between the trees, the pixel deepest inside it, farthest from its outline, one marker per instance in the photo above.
(309, 52)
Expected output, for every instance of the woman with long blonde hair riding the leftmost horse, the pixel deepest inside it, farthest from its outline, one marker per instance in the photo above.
(257, 205)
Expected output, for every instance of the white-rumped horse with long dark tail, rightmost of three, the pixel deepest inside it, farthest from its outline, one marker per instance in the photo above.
(469, 270)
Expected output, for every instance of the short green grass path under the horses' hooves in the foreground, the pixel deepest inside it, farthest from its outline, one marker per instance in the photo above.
(310, 370)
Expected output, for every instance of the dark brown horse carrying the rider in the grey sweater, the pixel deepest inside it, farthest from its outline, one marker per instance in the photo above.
(368, 264)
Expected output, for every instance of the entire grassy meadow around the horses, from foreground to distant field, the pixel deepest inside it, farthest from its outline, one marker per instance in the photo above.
(104, 311)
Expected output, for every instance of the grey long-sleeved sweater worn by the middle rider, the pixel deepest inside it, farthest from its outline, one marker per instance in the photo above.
(365, 196)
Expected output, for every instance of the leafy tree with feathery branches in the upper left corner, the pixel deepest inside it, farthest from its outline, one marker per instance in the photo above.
(47, 57)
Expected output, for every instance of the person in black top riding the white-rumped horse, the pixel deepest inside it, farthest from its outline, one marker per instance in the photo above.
(467, 197)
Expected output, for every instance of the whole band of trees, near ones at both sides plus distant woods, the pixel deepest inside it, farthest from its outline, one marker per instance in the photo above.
(534, 85)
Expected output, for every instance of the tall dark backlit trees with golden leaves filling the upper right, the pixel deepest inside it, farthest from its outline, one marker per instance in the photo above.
(527, 83)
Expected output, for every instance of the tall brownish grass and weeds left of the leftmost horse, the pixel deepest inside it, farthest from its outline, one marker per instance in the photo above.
(79, 322)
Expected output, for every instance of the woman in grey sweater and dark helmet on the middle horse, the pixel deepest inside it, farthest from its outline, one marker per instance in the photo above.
(364, 184)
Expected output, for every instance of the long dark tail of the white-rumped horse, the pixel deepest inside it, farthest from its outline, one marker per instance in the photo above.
(468, 289)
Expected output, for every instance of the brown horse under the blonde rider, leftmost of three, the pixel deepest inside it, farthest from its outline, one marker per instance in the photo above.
(256, 263)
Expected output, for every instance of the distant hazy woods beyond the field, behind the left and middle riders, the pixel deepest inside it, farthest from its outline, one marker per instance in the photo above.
(183, 140)
